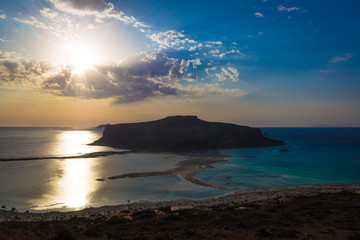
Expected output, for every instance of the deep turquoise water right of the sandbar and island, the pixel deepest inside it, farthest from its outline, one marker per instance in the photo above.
(314, 156)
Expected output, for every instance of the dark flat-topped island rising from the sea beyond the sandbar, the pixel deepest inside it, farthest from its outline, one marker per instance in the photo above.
(182, 133)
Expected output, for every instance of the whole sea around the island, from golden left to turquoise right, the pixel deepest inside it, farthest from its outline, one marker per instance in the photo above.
(311, 156)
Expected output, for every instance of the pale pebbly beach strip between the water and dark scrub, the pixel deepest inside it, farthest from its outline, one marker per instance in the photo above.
(259, 197)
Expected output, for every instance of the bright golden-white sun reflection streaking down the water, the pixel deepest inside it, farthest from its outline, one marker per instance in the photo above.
(74, 181)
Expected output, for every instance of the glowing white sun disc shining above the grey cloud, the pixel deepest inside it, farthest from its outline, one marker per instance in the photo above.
(80, 57)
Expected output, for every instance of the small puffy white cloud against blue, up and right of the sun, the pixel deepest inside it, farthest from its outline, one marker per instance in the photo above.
(170, 38)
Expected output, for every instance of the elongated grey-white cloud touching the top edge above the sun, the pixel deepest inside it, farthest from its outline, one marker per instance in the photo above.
(98, 8)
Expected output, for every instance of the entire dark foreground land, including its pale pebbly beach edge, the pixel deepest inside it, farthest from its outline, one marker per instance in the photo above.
(294, 213)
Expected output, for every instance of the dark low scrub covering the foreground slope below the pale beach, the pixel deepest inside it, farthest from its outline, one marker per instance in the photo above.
(325, 216)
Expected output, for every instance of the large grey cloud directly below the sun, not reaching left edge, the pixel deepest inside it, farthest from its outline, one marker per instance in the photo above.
(140, 77)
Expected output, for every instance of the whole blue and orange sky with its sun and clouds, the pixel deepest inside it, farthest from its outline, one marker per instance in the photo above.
(263, 63)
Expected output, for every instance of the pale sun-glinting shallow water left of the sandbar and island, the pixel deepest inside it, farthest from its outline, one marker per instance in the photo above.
(69, 184)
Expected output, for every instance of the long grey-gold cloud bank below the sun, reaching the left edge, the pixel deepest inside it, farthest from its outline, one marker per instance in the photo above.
(140, 77)
